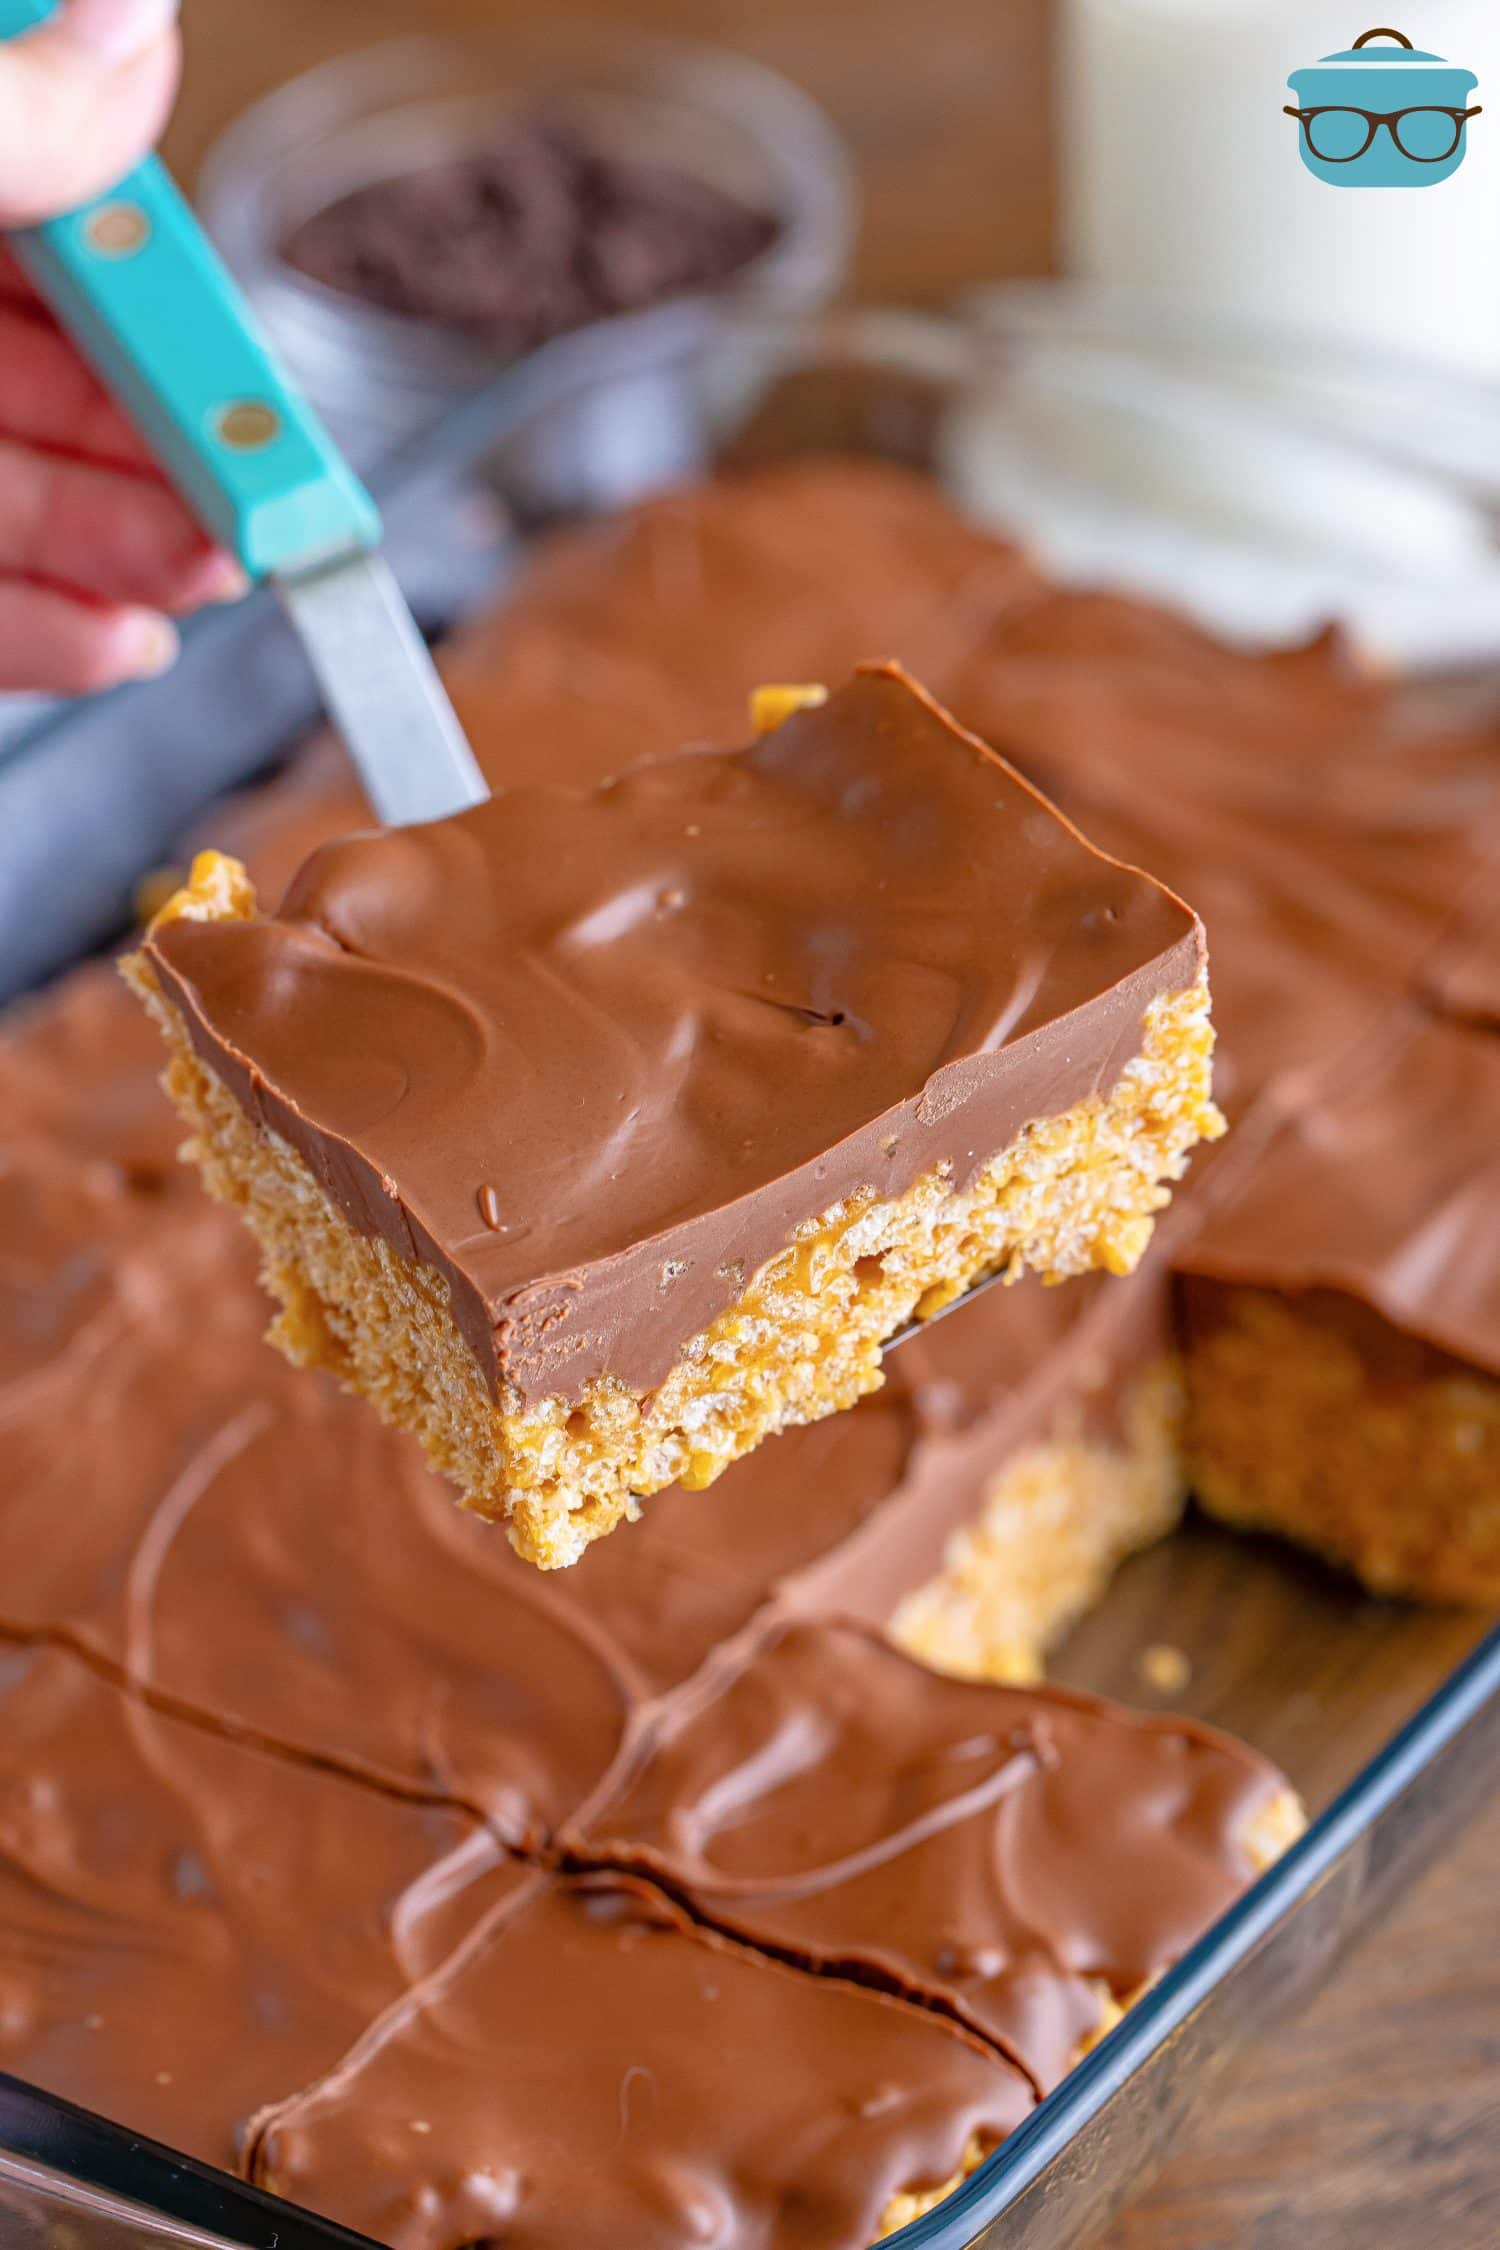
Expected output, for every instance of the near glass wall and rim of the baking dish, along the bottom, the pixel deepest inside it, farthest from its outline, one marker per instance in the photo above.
(69, 2179)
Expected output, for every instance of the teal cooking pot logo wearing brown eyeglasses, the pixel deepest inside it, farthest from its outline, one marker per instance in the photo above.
(1384, 116)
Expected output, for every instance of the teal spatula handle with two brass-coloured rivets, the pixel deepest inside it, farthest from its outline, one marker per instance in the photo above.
(152, 305)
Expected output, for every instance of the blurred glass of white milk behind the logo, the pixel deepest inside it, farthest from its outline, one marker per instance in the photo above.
(1182, 174)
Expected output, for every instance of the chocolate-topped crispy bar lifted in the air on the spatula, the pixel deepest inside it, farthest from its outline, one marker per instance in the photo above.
(597, 1135)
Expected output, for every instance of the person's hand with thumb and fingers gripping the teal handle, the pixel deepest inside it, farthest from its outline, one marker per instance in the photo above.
(96, 548)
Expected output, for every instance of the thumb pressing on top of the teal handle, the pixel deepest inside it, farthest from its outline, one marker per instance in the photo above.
(82, 100)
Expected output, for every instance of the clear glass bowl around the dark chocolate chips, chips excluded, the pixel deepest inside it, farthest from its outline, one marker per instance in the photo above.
(408, 105)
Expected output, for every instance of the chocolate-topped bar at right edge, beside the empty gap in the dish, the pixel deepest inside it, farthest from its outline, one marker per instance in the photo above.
(1344, 1322)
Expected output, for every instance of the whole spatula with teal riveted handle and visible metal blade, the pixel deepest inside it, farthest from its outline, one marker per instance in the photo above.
(154, 309)
